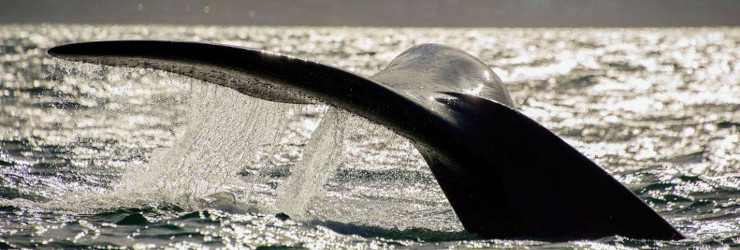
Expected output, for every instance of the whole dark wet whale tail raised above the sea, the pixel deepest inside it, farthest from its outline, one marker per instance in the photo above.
(505, 175)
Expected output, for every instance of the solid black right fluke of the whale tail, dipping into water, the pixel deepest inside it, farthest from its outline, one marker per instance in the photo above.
(530, 183)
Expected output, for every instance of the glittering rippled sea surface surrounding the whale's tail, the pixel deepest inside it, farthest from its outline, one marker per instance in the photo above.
(94, 156)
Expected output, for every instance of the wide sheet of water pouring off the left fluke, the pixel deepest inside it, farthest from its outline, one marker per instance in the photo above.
(225, 131)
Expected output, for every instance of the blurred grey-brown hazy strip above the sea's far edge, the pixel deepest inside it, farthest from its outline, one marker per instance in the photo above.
(386, 13)
